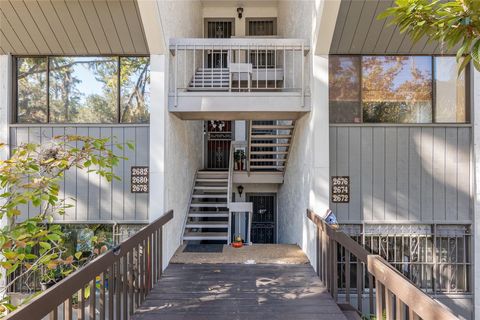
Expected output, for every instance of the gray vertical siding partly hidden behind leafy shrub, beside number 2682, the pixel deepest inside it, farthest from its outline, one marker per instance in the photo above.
(96, 199)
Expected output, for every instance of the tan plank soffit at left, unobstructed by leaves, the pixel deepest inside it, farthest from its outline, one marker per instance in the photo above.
(71, 27)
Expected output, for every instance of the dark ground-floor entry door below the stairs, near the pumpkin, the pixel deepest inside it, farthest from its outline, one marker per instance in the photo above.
(264, 217)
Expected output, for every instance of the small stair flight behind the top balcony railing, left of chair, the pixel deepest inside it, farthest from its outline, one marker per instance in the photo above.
(210, 79)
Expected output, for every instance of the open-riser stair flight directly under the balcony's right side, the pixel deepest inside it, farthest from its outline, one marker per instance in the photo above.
(270, 144)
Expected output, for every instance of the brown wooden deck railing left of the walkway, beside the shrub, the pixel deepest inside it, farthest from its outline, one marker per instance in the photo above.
(110, 287)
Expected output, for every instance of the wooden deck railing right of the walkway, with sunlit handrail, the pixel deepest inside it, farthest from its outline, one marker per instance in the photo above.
(395, 296)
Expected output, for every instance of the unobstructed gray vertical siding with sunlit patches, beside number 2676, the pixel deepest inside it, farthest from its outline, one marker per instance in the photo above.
(403, 173)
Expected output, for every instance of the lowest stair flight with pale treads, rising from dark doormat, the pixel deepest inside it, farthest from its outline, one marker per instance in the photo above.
(208, 213)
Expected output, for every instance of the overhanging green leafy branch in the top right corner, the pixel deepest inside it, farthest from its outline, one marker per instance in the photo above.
(453, 23)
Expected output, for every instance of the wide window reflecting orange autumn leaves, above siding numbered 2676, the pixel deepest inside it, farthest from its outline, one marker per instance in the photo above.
(396, 89)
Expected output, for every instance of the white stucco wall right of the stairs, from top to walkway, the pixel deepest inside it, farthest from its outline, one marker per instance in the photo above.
(307, 175)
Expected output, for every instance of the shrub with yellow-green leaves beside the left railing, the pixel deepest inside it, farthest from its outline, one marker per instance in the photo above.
(31, 177)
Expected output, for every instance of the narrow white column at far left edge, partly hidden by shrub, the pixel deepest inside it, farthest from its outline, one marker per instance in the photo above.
(5, 103)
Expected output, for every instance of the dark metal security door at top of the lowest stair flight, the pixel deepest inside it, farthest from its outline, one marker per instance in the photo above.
(219, 138)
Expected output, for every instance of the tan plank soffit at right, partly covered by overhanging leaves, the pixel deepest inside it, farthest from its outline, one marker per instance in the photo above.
(358, 31)
